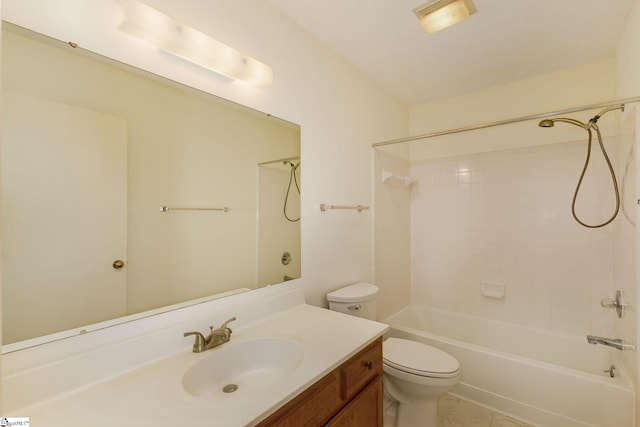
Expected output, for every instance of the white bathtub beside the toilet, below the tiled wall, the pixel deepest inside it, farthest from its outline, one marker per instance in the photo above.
(544, 378)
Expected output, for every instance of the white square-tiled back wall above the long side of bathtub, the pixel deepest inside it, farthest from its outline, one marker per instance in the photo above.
(505, 218)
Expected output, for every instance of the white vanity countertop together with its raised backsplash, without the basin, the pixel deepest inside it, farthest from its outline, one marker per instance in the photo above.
(136, 378)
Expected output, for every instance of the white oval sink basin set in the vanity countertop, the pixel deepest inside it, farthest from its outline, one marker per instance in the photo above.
(239, 368)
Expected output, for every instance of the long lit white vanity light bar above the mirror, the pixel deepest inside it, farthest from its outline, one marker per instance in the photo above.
(179, 39)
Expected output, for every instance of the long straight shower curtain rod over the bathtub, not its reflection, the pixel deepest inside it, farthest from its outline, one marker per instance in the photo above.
(506, 122)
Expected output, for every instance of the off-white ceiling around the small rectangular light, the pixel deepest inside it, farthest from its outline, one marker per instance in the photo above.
(506, 40)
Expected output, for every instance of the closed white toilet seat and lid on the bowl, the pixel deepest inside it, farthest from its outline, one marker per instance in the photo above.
(419, 359)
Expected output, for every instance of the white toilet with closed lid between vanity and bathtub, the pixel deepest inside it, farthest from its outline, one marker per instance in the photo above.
(415, 374)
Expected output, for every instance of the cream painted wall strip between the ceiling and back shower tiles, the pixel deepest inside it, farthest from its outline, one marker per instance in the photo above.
(573, 87)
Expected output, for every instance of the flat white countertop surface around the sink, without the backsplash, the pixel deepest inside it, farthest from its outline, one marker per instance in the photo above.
(152, 395)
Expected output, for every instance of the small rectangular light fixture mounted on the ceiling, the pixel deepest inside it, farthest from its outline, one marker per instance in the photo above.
(440, 14)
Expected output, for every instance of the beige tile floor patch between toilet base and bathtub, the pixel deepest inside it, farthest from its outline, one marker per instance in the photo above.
(454, 412)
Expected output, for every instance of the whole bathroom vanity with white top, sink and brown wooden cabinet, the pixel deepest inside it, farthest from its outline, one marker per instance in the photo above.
(293, 364)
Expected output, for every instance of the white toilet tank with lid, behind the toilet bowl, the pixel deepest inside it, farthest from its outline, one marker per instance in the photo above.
(359, 299)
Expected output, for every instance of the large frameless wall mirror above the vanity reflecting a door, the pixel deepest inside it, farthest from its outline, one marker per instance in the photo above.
(124, 193)
